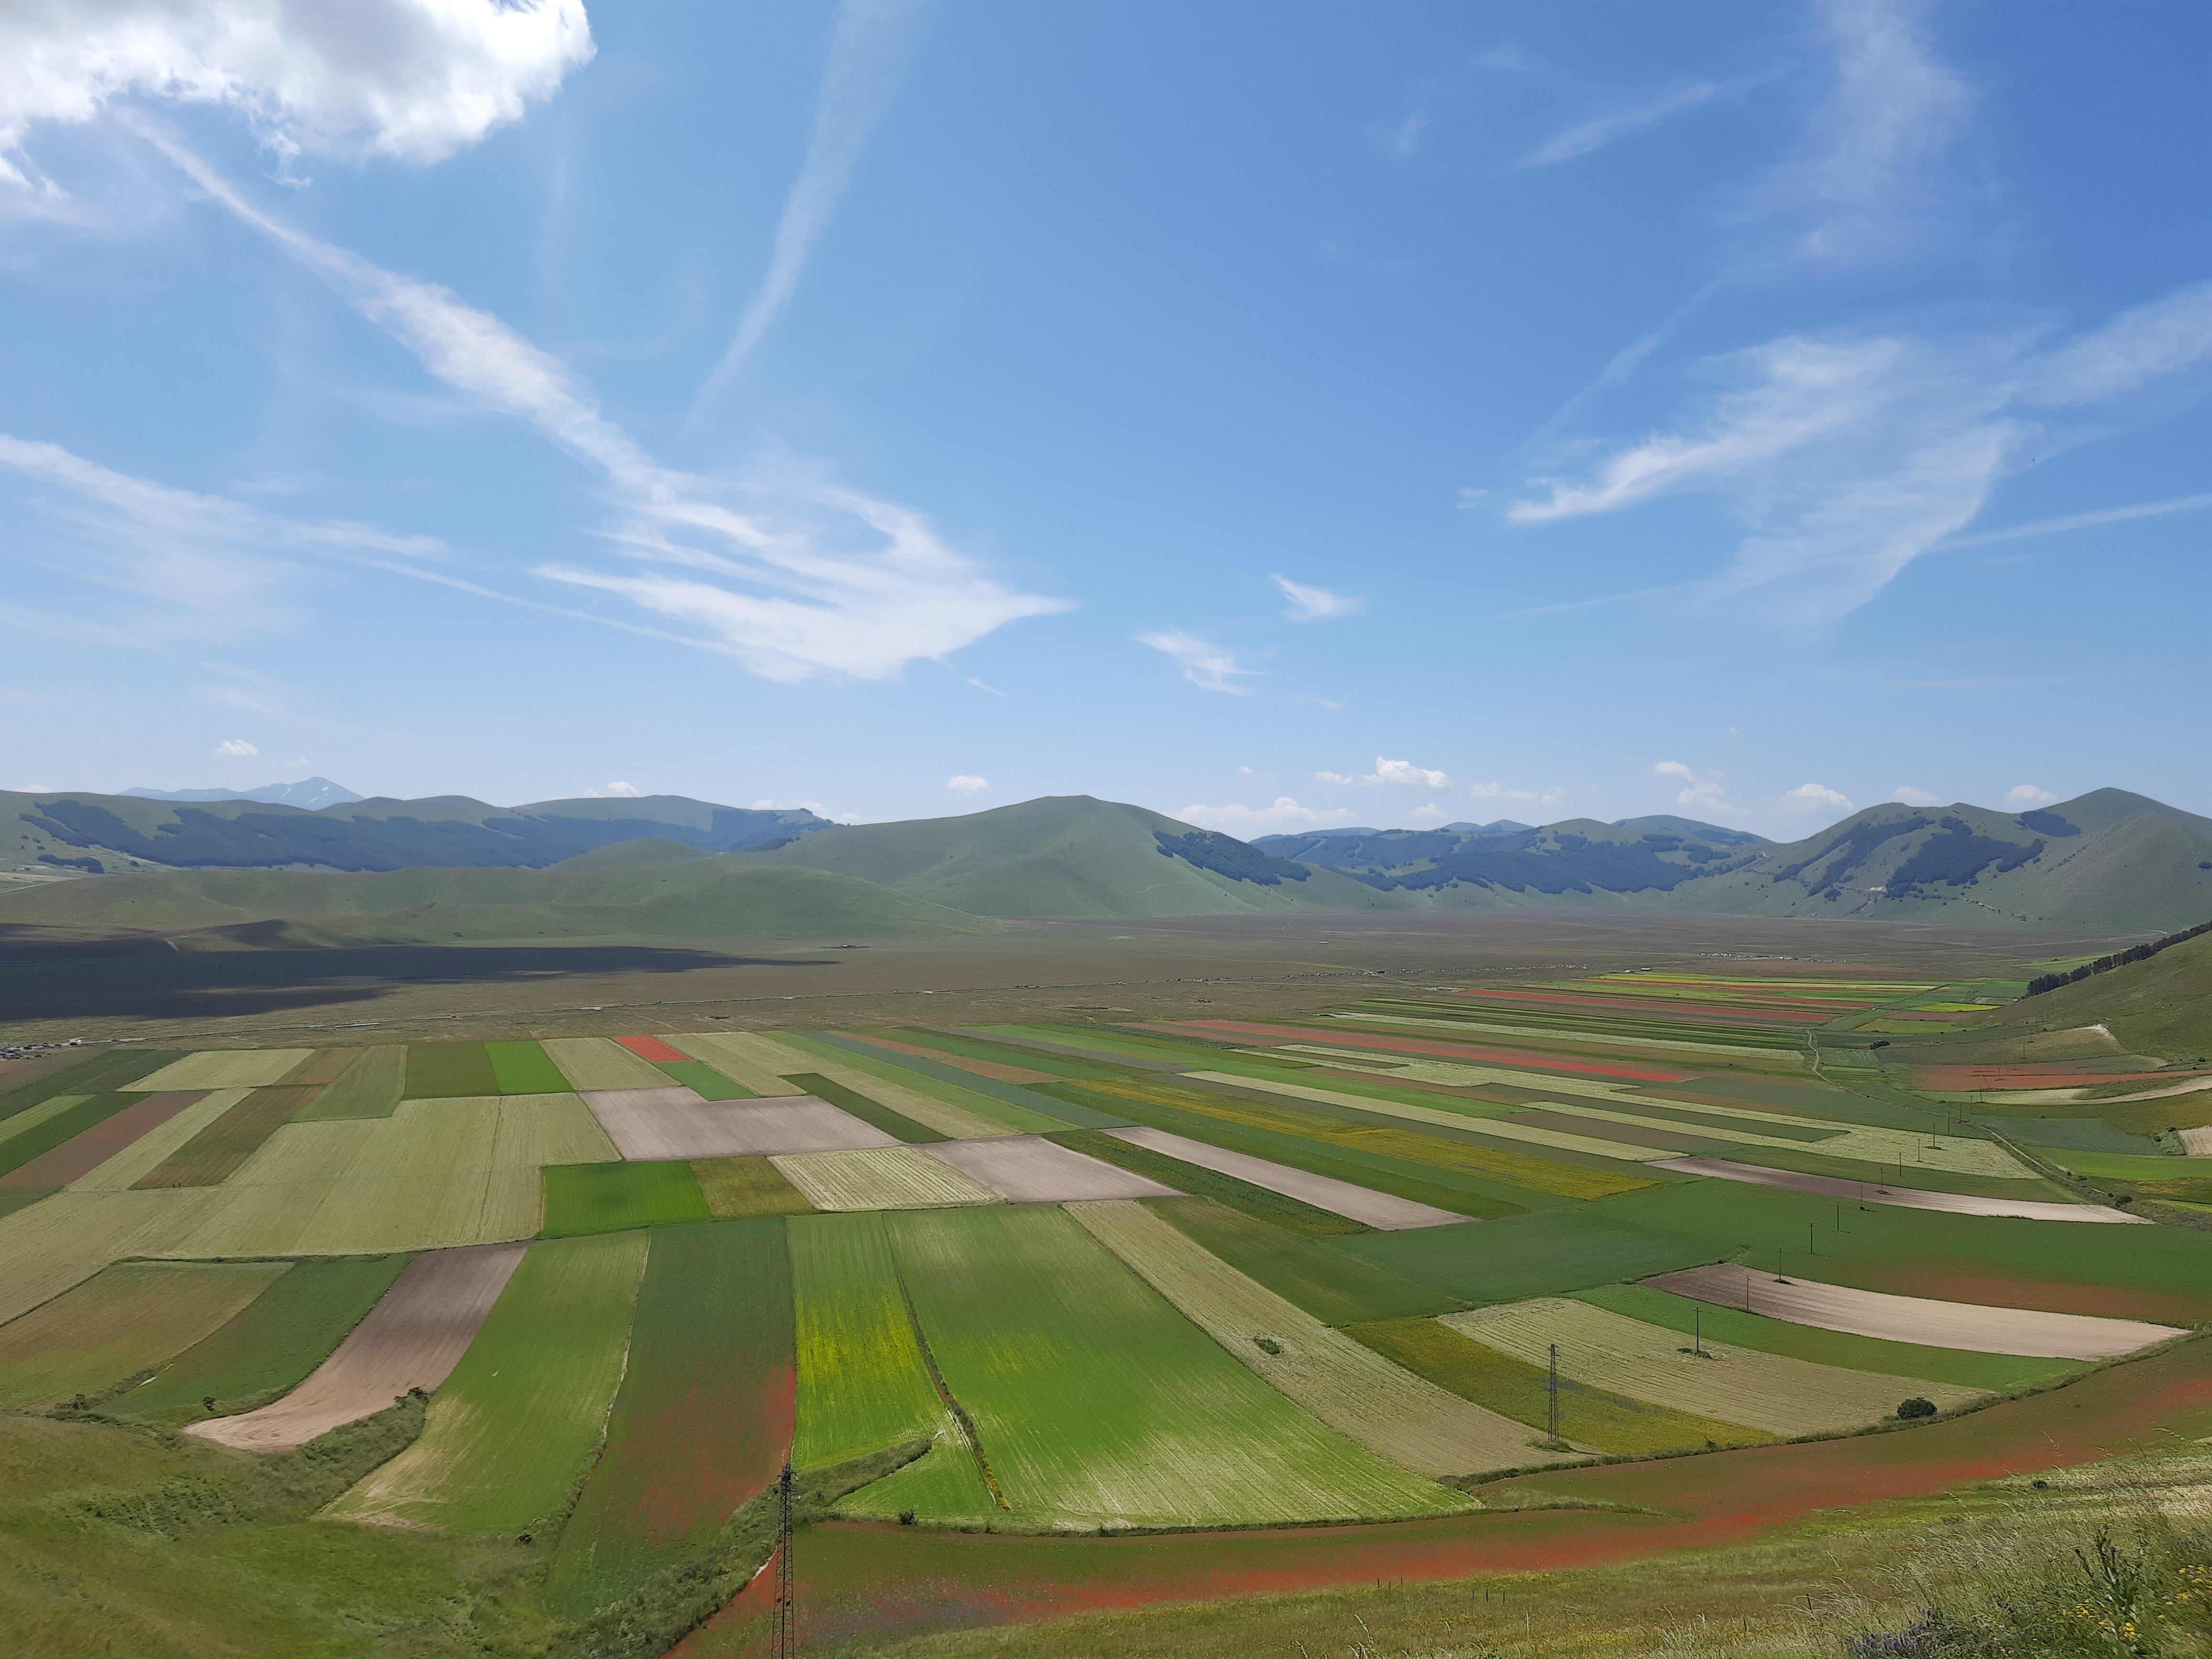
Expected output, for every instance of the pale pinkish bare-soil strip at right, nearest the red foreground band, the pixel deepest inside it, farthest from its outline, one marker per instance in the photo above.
(1917, 1319)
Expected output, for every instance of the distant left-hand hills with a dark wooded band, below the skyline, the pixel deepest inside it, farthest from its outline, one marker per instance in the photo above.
(114, 833)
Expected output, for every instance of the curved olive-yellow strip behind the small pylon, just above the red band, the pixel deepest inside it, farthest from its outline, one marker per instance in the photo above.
(1589, 1417)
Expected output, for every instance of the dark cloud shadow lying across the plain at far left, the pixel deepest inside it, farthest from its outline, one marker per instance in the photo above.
(63, 979)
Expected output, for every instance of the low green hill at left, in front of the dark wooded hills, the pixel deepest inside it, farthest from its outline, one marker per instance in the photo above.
(658, 897)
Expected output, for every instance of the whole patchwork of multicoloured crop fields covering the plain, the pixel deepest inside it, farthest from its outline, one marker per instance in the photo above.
(1366, 1266)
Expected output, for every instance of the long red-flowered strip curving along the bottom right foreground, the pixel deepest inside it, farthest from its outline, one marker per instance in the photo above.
(884, 1580)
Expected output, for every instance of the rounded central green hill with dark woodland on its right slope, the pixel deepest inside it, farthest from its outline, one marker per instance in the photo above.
(1072, 855)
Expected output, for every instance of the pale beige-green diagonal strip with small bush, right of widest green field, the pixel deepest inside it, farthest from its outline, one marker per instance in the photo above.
(1346, 1386)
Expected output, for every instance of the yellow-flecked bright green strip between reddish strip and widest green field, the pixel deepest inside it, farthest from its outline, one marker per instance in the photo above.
(864, 1381)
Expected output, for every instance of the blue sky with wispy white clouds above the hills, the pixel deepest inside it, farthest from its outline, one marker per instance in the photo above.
(1277, 417)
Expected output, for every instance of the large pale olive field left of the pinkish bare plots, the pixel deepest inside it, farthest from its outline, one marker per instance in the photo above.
(435, 1173)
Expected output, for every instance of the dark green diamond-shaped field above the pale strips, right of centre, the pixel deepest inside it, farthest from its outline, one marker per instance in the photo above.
(1534, 1255)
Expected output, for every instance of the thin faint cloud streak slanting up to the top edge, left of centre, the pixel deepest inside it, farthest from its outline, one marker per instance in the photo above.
(868, 59)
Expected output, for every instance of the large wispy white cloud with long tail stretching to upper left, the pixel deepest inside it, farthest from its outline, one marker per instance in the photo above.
(782, 570)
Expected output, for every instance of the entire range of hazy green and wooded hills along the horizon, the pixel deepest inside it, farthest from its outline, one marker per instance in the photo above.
(450, 868)
